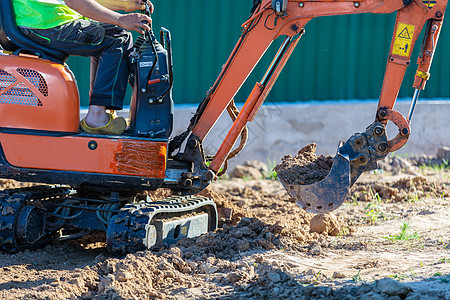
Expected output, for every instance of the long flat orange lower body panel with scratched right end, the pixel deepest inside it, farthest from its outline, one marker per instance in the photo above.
(86, 154)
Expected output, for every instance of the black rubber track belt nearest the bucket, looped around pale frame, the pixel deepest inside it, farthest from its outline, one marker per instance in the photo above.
(130, 224)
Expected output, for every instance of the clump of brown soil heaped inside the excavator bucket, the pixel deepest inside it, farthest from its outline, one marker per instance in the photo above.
(304, 168)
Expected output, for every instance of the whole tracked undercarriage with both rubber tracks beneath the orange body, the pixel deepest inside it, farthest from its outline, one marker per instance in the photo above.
(34, 216)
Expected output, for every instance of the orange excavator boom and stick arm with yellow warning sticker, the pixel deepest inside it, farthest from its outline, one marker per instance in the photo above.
(271, 19)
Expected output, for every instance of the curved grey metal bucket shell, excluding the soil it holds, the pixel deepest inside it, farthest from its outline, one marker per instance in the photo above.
(326, 195)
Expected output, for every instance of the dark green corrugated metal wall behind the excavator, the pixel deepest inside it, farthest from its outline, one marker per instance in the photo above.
(341, 57)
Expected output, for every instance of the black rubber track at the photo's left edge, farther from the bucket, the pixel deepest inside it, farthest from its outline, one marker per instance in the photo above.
(11, 202)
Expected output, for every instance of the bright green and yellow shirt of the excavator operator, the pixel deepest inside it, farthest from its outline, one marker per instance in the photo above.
(43, 14)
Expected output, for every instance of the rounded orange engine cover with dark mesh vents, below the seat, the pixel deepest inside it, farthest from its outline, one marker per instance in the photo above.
(37, 94)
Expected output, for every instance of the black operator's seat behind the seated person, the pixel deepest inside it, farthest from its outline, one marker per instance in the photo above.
(12, 39)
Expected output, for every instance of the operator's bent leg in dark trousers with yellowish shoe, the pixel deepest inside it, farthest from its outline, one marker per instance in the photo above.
(109, 46)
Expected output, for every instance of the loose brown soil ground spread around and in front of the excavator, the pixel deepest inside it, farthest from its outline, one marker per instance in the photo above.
(389, 240)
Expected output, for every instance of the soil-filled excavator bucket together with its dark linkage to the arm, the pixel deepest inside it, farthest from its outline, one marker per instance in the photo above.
(358, 154)
